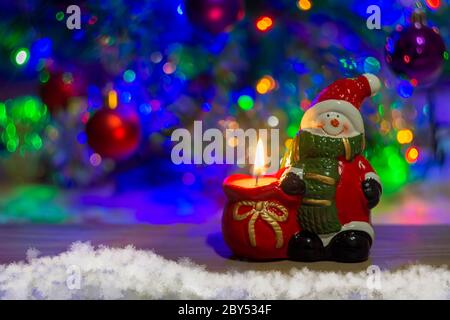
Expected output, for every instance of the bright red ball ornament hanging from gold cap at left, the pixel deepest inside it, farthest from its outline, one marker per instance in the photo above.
(114, 133)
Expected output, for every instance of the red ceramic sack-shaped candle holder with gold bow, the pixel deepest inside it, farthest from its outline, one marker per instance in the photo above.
(258, 220)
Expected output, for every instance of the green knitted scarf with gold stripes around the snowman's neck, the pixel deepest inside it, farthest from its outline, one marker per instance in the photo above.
(318, 157)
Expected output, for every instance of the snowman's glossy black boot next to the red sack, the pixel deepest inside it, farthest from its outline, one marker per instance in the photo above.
(306, 246)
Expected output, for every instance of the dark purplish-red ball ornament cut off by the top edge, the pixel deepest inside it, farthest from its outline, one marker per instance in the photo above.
(214, 16)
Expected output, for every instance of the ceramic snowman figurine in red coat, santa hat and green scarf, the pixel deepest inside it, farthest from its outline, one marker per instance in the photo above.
(337, 184)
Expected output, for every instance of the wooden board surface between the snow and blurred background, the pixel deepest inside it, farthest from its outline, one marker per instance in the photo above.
(395, 246)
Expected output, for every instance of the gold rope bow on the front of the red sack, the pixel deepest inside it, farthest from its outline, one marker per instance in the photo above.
(263, 209)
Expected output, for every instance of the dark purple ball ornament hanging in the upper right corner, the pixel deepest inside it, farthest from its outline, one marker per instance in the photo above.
(416, 51)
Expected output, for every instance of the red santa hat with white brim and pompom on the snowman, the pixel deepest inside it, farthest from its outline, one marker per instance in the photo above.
(344, 96)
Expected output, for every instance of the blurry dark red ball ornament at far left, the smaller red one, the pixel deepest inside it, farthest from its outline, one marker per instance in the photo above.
(59, 88)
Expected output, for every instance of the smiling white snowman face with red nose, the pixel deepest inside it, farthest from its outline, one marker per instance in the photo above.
(335, 124)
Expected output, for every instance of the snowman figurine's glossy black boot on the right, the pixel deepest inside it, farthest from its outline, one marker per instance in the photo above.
(349, 246)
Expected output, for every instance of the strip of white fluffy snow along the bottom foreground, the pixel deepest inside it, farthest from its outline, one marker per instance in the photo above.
(85, 272)
